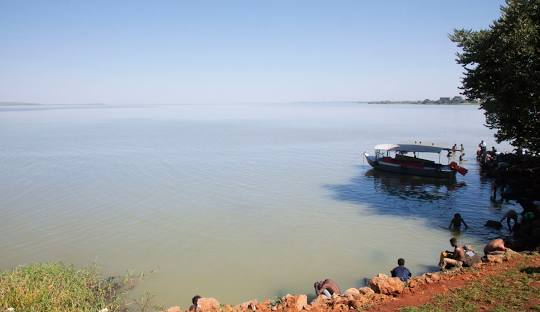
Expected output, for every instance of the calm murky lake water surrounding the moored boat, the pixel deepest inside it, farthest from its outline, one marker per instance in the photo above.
(232, 201)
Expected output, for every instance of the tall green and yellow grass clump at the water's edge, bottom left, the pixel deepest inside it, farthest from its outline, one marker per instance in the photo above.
(58, 287)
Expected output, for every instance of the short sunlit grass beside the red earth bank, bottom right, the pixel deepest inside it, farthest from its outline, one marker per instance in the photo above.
(512, 290)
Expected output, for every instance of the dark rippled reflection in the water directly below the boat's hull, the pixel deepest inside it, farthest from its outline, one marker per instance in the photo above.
(412, 187)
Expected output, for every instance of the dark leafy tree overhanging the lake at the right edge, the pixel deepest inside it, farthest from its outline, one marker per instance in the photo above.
(502, 72)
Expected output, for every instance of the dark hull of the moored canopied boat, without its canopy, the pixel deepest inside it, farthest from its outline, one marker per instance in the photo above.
(443, 172)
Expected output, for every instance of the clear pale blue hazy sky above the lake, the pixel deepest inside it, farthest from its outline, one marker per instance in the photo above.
(145, 52)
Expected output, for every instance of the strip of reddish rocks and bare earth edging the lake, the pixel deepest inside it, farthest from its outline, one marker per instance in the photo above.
(381, 290)
